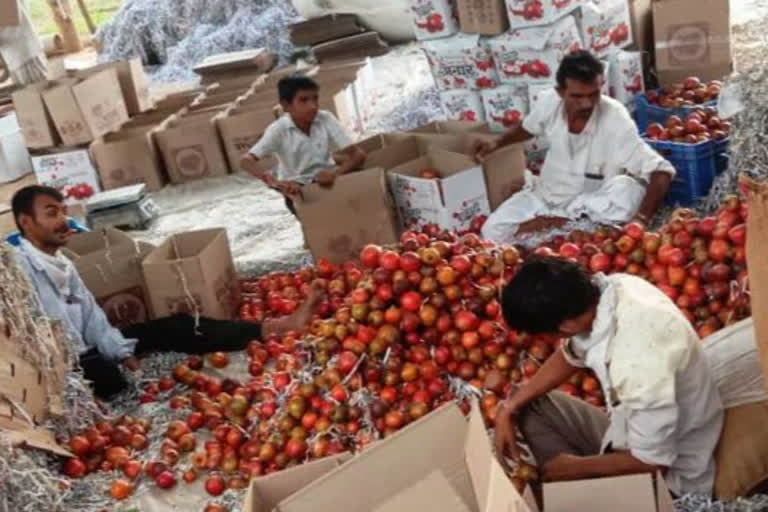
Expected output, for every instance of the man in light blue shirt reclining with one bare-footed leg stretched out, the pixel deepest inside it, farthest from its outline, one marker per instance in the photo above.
(40, 215)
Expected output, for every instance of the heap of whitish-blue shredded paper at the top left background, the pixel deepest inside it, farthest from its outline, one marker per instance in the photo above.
(176, 35)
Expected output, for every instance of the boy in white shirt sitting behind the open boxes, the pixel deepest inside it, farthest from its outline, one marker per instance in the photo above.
(302, 141)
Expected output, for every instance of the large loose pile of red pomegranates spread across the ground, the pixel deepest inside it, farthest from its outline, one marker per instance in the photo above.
(400, 332)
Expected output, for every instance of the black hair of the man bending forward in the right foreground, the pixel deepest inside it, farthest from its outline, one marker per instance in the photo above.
(544, 293)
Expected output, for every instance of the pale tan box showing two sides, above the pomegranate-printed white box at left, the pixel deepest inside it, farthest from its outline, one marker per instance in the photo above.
(85, 110)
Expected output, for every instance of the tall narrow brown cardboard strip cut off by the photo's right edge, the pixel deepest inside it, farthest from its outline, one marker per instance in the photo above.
(757, 248)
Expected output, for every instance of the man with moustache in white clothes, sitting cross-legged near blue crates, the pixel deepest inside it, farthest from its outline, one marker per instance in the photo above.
(597, 166)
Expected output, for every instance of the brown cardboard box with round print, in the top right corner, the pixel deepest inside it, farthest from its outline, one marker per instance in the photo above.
(693, 38)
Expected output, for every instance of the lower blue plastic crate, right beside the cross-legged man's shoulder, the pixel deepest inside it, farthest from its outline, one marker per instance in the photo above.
(695, 166)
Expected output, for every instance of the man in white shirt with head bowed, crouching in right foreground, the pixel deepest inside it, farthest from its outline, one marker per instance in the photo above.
(664, 411)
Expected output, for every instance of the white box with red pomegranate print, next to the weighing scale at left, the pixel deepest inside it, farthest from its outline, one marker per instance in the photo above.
(70, 171)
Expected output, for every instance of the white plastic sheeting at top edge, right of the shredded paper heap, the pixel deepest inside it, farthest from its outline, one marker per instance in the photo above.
(390, 18)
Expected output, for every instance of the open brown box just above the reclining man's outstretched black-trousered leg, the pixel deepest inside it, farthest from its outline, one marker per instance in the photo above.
(192, 271)
